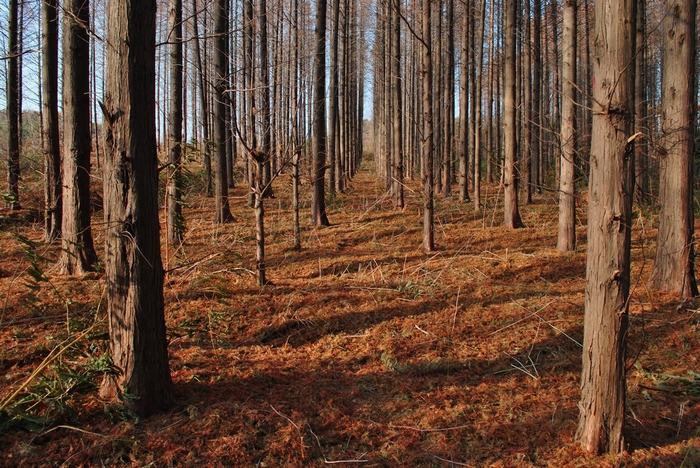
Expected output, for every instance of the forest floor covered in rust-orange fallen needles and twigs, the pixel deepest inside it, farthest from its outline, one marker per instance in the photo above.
(364, 350)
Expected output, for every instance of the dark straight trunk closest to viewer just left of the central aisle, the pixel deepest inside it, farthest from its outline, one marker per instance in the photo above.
(318, 202)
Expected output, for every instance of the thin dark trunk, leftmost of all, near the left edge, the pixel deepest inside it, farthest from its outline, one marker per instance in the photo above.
(13, 107)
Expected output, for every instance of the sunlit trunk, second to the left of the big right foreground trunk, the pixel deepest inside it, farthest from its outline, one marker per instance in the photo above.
(510, 179)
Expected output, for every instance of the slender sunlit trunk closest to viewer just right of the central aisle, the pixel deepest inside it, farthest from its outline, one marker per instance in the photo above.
(427, 137)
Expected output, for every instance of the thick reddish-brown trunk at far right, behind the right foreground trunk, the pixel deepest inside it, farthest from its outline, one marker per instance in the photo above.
(673, 270)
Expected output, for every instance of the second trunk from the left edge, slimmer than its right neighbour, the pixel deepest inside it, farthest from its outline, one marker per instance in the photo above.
(50, 123)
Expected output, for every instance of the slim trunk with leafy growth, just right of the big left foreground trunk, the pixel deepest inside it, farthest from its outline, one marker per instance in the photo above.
(175, 224)
